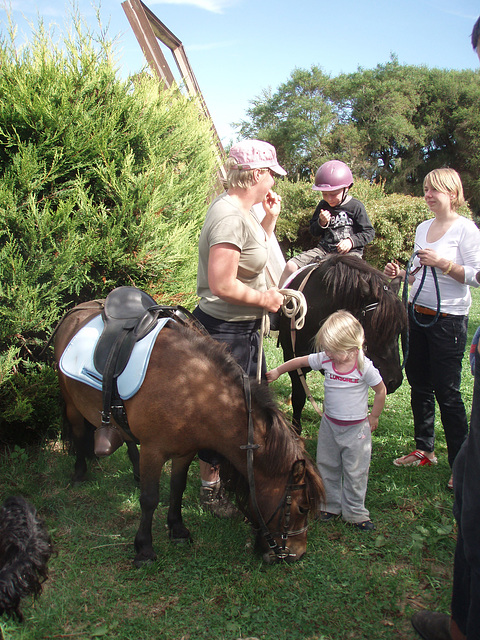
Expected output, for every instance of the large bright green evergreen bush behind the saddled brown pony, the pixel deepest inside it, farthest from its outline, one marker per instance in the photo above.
(104, 182)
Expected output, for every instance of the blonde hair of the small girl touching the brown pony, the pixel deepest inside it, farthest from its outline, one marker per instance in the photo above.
(341, 332)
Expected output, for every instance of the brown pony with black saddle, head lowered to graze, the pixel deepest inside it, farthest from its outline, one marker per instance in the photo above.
(195, 396)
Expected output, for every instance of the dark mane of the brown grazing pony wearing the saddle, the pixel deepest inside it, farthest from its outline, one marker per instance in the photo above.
(282, 446)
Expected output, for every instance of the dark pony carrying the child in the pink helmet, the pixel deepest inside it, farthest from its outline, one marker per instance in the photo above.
(347, 282)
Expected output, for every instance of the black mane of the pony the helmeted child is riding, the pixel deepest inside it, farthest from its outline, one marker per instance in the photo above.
(350, 280)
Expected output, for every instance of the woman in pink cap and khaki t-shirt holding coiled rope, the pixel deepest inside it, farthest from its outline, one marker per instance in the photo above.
(231, 284)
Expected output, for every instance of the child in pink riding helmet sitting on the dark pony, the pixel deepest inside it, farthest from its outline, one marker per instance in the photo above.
(340, 221)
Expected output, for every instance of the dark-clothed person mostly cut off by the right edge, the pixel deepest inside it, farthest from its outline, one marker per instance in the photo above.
(463, 623)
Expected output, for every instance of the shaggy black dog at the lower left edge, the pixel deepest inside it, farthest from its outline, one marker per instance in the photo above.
(25, 548)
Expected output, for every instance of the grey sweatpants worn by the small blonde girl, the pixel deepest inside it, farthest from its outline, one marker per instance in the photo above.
(343, 460)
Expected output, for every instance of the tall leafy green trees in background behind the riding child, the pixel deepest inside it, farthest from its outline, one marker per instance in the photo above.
(393, 123)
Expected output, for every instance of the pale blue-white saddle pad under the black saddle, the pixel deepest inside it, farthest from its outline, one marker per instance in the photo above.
(77, 359)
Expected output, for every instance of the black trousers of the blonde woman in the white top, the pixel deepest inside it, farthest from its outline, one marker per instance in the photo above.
(434, 368)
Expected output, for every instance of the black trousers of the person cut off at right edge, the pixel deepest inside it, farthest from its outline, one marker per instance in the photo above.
(466, 483)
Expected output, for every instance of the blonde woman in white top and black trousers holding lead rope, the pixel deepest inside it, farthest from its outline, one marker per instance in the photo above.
(450, 244)
